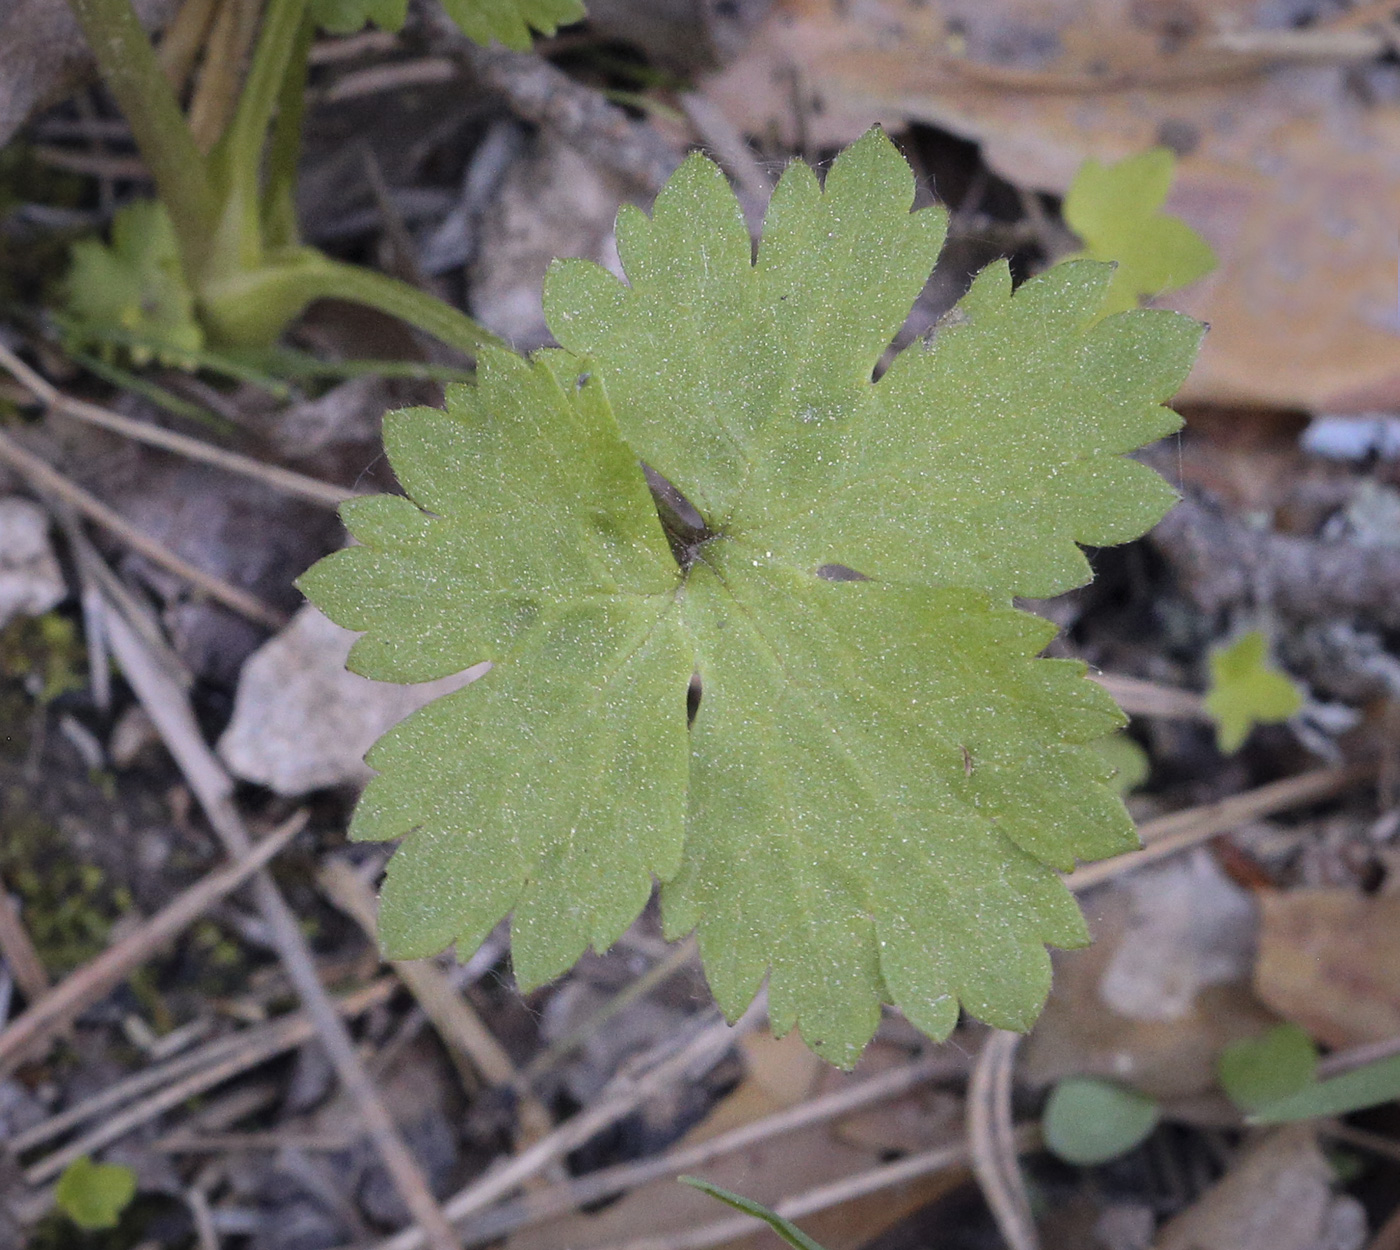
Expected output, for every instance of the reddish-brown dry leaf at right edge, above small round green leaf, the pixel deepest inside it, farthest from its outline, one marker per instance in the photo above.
(1329, 961)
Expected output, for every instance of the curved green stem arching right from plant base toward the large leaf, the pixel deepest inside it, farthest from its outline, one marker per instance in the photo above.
(253, 309)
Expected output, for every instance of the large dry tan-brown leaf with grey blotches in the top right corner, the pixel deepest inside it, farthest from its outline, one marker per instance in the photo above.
(1287, 171)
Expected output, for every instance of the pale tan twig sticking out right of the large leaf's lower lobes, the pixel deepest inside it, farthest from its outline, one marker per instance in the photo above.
(1181, 831)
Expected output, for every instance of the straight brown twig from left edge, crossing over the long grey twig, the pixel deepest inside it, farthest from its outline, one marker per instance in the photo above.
(96, 979)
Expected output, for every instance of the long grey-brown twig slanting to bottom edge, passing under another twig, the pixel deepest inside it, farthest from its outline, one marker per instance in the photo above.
(174, 719)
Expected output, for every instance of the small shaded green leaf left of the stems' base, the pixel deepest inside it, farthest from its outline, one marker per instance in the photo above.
(136, 288)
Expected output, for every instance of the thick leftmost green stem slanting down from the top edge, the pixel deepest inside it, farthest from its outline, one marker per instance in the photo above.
(134, 75)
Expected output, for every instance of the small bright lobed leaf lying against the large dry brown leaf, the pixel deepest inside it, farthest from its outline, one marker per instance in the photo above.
(1118, 212)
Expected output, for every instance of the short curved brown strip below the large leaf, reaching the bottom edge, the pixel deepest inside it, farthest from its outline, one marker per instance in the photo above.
(992, 1142)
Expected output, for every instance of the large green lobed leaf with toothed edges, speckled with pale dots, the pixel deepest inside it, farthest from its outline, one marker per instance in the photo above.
(881, 778)
